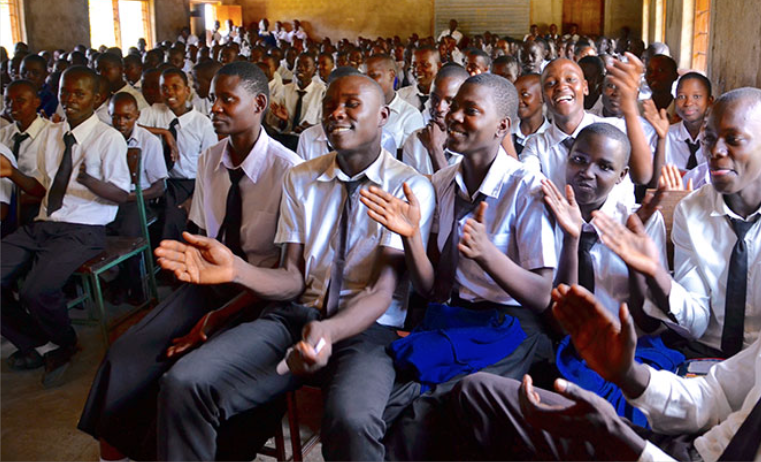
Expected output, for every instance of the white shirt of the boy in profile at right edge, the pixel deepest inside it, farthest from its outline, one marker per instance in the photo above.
(703, 242)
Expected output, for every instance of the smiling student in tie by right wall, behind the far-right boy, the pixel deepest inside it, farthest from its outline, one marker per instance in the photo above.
(685, 138)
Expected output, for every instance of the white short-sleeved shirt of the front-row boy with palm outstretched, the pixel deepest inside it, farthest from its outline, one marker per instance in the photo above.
(313, 196)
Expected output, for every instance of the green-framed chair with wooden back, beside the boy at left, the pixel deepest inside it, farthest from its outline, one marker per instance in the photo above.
(119, 249)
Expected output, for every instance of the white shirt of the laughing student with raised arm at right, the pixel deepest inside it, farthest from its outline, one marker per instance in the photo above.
(546, 153)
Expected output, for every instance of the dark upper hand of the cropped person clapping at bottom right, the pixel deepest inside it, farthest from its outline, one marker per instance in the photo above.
(605, 344)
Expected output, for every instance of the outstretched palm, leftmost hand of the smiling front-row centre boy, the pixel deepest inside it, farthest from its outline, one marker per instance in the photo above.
(201, 261)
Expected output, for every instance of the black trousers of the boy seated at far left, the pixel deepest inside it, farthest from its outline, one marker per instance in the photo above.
(47, 253)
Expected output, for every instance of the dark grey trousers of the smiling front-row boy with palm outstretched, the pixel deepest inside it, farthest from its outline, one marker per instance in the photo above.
(235, 373)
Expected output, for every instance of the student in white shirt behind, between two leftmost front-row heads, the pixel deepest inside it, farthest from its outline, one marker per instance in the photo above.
(299, 108)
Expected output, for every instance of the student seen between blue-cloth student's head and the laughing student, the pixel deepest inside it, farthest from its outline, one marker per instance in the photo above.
(530, 113)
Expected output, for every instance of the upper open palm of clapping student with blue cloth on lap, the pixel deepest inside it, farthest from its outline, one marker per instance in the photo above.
(395, 214)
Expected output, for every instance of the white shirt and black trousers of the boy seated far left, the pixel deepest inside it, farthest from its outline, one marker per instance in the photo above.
(68, 231)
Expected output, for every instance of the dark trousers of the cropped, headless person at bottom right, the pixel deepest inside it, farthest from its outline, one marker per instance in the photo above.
(491, 426)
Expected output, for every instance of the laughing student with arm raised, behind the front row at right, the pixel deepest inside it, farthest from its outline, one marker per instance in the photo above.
(564, 89)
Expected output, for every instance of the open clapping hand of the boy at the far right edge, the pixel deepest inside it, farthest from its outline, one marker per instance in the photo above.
(631, 243)
